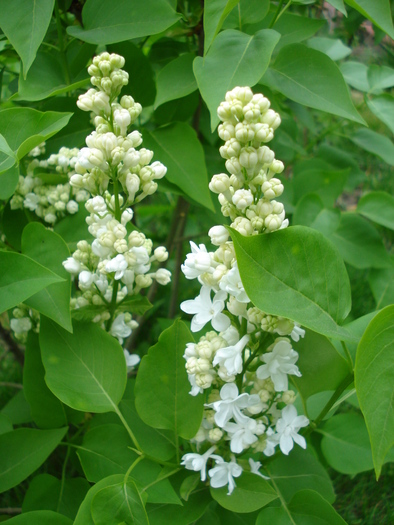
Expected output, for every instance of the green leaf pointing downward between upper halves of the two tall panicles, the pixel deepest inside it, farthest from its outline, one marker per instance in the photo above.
(178, 148)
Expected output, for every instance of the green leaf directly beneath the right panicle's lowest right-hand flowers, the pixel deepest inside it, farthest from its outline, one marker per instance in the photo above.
(298, 471)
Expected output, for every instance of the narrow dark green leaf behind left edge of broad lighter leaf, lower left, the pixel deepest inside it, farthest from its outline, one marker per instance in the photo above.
(46, 410)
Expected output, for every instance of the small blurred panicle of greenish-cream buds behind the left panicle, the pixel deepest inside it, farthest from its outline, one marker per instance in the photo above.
(49, 201)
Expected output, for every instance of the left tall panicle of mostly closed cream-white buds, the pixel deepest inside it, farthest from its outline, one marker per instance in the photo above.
(117, 264)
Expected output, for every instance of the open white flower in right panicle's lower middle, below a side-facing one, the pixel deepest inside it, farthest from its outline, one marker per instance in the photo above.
(231, 404)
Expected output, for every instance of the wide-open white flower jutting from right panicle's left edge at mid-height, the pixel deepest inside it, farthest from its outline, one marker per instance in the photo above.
(206, 310)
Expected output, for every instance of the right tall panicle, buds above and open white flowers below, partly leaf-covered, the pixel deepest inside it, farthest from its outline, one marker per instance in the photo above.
(244, 363)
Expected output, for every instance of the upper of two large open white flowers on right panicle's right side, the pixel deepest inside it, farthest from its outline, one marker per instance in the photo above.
(279, 363)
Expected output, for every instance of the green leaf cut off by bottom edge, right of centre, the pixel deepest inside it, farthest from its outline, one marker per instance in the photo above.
(306, 508)
